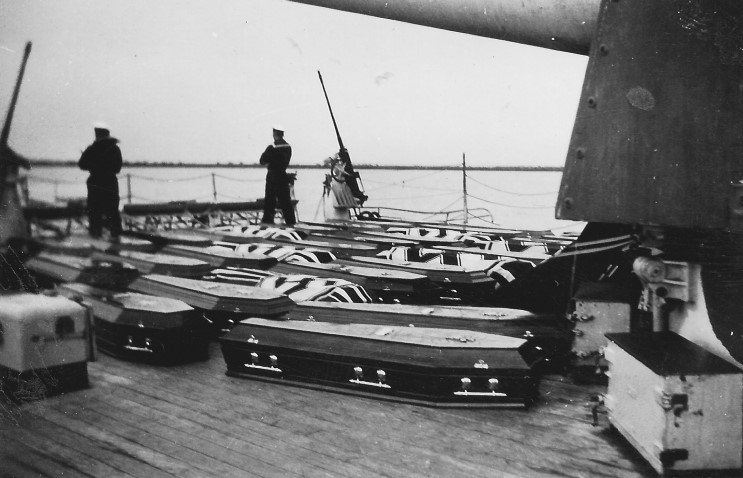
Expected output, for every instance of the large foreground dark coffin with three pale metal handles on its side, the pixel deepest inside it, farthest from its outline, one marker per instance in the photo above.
(436, 367)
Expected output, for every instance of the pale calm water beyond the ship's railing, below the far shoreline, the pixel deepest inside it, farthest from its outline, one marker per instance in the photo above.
(514, 199)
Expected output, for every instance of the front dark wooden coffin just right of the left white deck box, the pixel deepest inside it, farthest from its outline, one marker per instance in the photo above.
(143, 327)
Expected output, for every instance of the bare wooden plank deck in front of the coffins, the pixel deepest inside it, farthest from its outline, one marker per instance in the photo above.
(138, 420)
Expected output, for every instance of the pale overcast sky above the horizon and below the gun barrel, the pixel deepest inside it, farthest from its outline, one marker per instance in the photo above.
(204, 81)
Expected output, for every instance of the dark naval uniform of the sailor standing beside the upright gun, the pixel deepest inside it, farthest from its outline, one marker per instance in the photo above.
(276, 158)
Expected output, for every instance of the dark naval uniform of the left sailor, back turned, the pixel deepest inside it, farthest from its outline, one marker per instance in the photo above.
(103, 160)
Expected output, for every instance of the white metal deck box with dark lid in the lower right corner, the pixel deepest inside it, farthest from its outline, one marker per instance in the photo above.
(680, 406)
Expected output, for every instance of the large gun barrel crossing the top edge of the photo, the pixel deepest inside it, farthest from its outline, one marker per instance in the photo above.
(565, 25)
